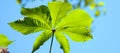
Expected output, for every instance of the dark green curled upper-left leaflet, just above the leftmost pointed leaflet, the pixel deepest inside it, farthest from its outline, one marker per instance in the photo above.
(39, 13)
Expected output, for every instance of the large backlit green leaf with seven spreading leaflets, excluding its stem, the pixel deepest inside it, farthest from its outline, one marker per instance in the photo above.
(56, 18)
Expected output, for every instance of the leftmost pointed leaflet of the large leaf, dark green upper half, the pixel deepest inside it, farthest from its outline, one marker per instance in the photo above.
(28, 25)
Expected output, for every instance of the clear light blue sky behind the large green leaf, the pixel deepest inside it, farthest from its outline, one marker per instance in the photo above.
(106, 31)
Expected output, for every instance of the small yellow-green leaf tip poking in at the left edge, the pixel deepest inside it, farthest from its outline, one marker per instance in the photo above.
(4, 41)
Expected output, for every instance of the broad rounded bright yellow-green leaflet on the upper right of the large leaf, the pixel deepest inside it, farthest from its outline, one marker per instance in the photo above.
(76, 18)
